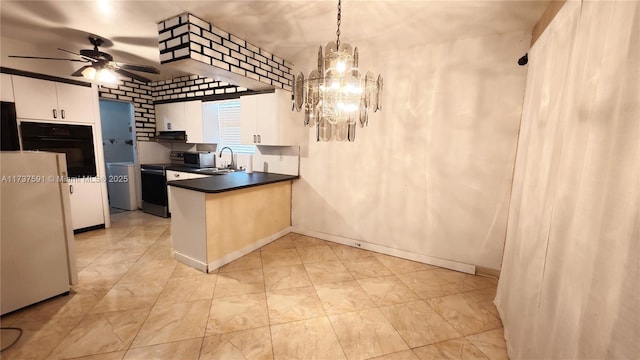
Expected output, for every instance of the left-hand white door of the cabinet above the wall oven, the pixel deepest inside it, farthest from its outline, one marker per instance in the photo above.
(35, 98)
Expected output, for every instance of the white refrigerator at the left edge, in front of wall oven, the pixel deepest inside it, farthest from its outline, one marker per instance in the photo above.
(36, 234)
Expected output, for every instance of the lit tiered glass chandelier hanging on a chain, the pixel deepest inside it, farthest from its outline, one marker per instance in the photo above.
(337, 95)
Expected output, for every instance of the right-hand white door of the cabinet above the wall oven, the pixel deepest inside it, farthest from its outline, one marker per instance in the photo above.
(75, 103)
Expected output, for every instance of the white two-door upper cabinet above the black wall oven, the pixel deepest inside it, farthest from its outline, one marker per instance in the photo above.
(48, 100)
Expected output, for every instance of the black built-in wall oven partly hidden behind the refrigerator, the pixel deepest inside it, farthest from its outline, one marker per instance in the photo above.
(76, 141)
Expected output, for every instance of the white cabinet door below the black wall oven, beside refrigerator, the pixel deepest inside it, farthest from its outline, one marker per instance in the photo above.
(86, 203)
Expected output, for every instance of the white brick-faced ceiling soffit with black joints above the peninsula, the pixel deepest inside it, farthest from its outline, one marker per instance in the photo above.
(189, 37)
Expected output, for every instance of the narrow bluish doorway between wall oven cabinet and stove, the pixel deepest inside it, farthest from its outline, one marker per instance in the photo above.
(119, 145)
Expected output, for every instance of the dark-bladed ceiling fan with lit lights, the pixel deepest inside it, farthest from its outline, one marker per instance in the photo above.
(100, 64)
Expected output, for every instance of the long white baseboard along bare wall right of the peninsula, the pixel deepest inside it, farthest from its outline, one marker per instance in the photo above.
(444, 263)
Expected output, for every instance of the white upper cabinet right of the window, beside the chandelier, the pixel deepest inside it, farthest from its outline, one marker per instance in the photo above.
(266, 119)
